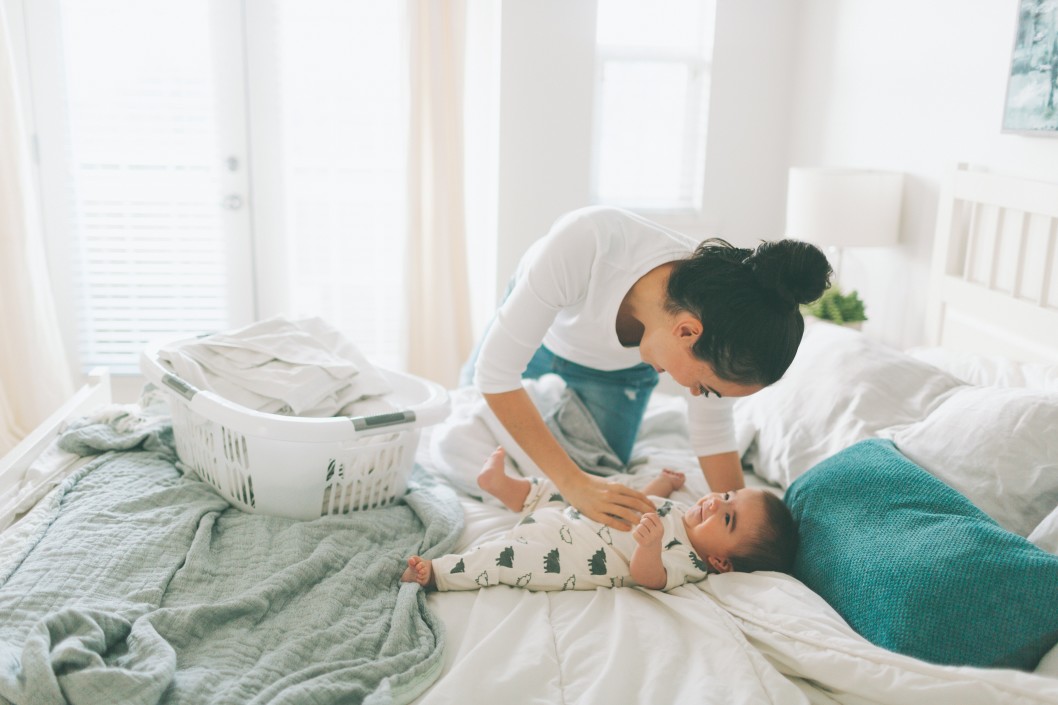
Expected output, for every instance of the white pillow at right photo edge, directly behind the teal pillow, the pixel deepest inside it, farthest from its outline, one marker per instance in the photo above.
(998, 446)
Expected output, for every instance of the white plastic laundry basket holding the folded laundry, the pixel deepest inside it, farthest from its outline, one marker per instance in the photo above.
(298, 467)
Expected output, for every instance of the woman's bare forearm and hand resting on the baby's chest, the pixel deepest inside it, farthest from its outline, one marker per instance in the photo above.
(609, 503)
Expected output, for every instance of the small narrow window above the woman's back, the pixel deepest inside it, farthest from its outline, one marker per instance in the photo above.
(649, 56)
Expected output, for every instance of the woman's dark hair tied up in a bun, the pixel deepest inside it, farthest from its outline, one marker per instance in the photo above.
(749, 302)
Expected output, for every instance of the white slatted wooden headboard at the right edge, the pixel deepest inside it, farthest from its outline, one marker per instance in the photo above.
(994, 286)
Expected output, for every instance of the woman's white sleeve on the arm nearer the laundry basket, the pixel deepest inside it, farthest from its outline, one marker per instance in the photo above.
(554, 275)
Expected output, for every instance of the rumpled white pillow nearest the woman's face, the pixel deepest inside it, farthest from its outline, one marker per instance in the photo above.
(842, 388)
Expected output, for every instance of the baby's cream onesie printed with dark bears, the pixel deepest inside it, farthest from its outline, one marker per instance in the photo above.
(556, 548)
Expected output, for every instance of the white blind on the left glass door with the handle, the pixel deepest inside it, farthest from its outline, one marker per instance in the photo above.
(147, 230)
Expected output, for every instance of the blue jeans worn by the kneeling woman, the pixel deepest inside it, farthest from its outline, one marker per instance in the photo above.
(616, 400)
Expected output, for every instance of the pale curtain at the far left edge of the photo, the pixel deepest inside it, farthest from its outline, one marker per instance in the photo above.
(34, 374)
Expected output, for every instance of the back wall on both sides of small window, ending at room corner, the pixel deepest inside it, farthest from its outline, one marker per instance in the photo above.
(548, 57)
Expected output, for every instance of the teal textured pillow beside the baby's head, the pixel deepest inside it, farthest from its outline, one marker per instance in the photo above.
(916, 568)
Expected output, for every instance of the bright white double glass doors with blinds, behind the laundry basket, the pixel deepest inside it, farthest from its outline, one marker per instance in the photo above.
(206, 164)
